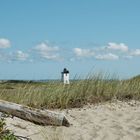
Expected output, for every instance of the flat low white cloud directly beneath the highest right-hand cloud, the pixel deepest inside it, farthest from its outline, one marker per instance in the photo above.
(108, 56)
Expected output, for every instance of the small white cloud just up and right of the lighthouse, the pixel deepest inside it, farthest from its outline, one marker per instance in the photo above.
(83, 52)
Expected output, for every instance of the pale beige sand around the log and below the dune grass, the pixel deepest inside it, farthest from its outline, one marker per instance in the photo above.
(107, 121)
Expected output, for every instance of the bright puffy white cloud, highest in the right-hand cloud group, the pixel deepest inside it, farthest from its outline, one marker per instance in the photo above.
(117, 47)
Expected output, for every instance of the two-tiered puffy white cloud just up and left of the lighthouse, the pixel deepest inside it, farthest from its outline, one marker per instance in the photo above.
(48, 52)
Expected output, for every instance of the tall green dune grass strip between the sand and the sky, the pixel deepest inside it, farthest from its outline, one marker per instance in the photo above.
(93, 89)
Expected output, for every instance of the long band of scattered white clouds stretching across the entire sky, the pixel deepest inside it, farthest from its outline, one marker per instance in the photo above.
(47, 51)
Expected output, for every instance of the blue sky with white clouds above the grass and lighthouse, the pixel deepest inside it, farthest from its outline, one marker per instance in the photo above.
(38, 38)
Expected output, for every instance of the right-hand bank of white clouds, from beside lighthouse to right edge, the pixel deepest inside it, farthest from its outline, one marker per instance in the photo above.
(111, 51)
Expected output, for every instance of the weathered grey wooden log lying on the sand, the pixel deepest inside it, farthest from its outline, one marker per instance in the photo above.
(43, 117)
